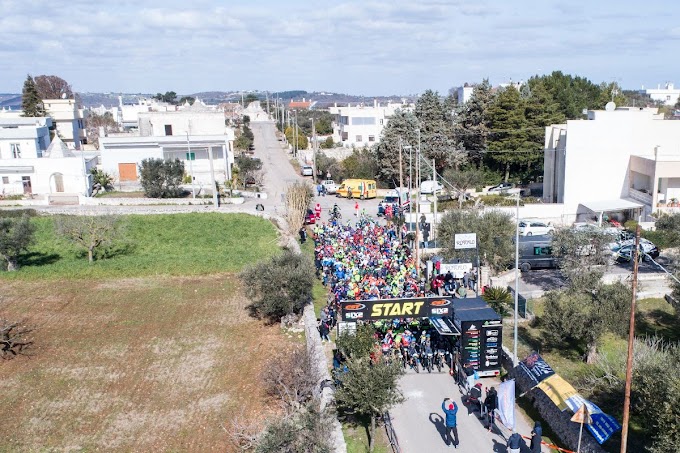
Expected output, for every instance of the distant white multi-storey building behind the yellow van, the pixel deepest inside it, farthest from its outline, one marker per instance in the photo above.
(361, 125)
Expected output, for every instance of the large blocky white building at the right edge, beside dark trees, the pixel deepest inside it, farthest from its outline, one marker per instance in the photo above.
(625, 160)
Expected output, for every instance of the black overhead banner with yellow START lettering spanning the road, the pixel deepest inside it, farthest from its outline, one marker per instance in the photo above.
(416, 307)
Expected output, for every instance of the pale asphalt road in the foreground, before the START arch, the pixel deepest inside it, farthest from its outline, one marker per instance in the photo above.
(419, 420)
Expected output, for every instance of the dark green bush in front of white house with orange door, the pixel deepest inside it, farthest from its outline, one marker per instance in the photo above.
(161, 178)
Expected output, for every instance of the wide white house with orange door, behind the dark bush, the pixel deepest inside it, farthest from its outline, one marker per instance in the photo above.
(196, 135)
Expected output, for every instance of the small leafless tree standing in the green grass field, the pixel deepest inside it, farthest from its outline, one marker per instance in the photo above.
(90, 232)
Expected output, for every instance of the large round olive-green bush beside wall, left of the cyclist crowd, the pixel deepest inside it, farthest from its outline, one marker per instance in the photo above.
(279, 286)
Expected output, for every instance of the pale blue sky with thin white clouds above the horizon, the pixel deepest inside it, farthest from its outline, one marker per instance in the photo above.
(359, 47)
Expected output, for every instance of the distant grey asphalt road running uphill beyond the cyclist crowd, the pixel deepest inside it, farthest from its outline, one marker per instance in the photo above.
(279, 174)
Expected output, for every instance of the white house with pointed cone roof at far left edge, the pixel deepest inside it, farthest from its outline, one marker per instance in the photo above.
(30, 164)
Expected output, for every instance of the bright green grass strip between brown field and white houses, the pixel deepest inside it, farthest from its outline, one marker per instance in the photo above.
(171, 244)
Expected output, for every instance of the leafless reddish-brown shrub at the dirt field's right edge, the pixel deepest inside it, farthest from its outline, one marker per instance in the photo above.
(289, 378)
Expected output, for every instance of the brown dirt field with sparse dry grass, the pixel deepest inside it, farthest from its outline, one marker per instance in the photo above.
(148, 364)
